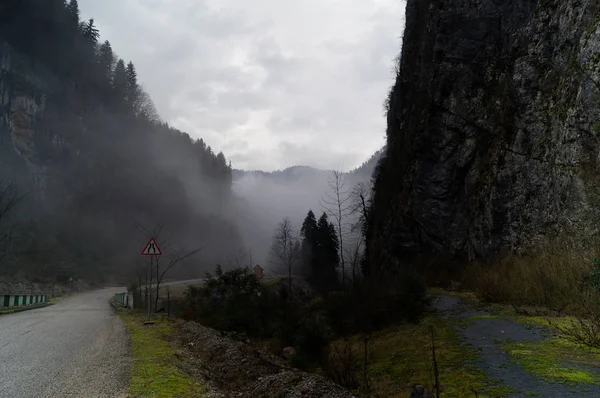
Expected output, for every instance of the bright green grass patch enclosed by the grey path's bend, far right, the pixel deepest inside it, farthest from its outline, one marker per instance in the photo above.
(557, 360)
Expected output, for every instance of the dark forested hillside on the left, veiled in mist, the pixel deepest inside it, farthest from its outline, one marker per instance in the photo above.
(86, 161)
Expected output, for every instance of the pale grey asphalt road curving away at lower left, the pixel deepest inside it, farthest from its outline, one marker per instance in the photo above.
(76, 348)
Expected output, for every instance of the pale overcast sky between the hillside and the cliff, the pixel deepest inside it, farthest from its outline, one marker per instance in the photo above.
(271, 83)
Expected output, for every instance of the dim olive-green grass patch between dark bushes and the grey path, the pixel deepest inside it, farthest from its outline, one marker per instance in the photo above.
(400, 357)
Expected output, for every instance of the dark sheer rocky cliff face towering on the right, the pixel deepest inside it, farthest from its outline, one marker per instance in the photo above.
(492, 129)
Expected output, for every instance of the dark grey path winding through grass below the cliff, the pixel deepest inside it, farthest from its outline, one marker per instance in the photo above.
(483, 334)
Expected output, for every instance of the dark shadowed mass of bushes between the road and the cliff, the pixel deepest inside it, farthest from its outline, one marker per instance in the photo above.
(236, 301)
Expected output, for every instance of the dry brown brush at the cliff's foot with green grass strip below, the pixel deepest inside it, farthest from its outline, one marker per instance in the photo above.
(559, 283)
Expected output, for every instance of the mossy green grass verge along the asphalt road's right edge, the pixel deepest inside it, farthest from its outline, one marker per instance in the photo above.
(155, 370)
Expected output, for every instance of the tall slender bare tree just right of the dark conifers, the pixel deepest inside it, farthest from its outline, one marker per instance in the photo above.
(337, 203)
